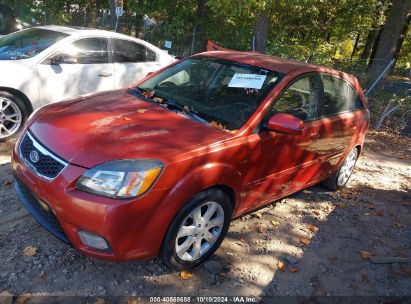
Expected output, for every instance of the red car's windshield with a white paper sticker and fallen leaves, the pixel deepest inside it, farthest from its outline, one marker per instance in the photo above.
(223, 93)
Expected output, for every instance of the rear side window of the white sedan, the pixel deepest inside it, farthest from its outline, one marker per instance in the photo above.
(128, 51)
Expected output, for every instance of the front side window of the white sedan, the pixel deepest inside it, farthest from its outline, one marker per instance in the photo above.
(90, 50)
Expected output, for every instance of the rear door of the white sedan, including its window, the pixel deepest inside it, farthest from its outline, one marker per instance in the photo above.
(132, 61)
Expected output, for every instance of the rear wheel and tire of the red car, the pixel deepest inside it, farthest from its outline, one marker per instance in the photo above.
(340, 178)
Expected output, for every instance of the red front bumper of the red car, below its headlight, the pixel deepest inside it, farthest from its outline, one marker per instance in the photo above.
(134, 228)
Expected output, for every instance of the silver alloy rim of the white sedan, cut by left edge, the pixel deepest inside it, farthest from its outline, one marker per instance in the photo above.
(10, 117)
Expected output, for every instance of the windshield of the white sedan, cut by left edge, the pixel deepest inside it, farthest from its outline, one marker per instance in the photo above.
(28, 43)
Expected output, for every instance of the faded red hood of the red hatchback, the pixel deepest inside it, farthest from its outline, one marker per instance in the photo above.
(117, 125)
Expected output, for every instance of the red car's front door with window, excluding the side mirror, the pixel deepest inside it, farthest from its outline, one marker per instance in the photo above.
(287, 162)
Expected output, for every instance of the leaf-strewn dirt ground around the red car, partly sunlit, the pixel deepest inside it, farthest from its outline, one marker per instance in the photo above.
(357, 242)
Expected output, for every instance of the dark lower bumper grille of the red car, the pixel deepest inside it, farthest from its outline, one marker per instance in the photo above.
(40, 211)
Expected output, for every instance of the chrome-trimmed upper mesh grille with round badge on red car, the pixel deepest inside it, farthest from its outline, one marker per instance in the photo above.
(37, 158)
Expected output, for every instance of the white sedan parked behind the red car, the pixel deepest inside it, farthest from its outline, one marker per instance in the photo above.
(46, 64)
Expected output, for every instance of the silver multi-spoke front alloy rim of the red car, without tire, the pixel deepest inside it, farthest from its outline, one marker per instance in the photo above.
(199, 231)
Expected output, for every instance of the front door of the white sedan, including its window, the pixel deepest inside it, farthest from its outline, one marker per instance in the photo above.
(81, 67)
